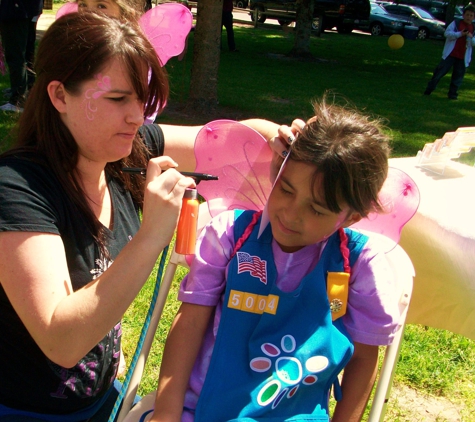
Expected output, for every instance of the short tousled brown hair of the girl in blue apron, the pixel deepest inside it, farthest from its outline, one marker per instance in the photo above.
(350, 152)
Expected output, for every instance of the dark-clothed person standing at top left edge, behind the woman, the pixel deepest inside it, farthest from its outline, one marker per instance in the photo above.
(16, 30)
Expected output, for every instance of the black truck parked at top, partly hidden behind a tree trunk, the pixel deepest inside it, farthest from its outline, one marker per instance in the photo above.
(342, 14)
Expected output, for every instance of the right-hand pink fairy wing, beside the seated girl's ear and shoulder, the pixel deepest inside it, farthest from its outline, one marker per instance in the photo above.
(400, 198)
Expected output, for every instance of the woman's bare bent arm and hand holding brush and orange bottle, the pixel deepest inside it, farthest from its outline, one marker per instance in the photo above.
(34, 273)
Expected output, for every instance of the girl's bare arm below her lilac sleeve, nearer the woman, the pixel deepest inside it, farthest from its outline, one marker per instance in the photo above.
(181, 349)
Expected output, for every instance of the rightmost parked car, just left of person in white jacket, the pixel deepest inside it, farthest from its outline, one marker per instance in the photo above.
(428, 26)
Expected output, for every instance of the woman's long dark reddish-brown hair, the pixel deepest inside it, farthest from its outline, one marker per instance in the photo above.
(73, 50)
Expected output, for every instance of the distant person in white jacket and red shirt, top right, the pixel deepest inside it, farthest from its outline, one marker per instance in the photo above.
(457, 53)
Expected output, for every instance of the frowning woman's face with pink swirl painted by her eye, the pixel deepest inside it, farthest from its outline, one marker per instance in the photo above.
(104, 116)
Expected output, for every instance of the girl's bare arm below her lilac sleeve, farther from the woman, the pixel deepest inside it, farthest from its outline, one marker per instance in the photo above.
(357, 383)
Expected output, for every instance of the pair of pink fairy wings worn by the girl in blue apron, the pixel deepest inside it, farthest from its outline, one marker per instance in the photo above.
(241, 158)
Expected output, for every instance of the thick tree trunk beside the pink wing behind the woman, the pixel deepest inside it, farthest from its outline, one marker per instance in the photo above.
(203, 96)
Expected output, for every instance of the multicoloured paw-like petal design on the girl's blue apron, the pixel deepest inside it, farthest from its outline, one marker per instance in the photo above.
(289, 372)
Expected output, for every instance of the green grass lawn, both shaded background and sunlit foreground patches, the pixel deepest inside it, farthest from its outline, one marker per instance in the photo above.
(261, 81)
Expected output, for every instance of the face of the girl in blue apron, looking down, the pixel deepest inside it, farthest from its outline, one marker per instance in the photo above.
(297, 216)
